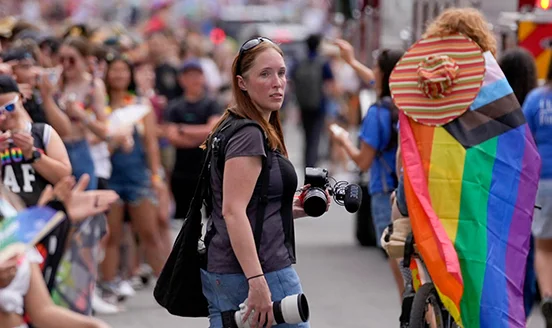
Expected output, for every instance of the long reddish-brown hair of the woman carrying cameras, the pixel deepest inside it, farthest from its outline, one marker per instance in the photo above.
(243, 106)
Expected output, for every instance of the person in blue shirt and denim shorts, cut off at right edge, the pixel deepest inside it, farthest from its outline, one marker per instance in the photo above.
(538, 112)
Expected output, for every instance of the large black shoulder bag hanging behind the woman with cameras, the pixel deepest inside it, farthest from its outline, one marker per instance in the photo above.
(179, 288)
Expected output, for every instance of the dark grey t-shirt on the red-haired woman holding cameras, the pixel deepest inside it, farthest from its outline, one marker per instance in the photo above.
(274, 253)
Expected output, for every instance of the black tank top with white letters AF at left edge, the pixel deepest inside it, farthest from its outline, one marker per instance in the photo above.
(19, 177)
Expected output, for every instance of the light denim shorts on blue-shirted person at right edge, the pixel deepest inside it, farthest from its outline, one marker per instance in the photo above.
(542, 220)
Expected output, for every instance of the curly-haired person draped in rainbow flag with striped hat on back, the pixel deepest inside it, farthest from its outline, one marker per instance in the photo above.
(470, 168)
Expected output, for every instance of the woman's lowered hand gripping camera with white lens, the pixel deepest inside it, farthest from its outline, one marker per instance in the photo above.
(259, 303)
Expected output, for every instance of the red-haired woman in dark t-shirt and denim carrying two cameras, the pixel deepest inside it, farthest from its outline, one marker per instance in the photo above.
(235, 269)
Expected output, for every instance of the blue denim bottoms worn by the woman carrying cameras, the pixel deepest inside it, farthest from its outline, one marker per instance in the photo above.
(225, 292)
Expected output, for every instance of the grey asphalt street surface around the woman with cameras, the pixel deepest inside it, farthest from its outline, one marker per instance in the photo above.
(347, 286)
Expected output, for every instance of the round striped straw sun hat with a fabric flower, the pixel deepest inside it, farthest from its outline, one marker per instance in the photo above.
(438, 78)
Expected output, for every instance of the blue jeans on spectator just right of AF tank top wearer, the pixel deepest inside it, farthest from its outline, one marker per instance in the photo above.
(82, 162)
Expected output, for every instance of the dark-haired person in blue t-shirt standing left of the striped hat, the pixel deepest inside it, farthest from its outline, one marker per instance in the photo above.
(378, 147)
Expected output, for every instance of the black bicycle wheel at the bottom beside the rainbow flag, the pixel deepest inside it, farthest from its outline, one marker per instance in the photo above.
(424, 297)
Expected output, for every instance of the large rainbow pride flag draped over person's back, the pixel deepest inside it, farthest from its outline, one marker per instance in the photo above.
(470, 187)
